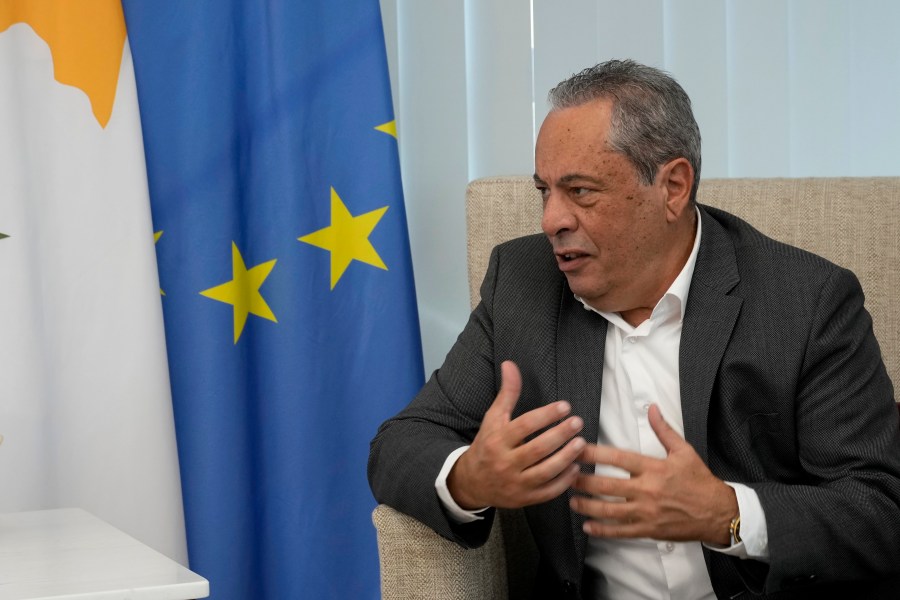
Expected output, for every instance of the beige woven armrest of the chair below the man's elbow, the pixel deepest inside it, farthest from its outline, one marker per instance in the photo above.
(418, 563)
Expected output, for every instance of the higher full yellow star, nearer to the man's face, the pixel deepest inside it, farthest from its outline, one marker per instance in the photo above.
(347, 238)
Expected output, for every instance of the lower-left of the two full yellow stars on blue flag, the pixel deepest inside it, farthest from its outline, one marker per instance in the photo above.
(243, 291)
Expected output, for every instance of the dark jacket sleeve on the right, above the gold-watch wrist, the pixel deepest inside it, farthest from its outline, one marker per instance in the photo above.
(841, 519)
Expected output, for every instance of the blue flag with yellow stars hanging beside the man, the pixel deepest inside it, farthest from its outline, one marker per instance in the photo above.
(286, 276)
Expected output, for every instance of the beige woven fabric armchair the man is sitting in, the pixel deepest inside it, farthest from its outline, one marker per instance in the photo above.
(854, 222)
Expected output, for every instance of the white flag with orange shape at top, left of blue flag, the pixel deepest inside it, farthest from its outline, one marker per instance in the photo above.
(85, 405)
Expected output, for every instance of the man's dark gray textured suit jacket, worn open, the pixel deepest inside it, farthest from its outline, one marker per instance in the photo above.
(782, 388)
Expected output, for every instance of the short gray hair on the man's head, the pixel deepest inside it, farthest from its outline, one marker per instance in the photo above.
(651, 123)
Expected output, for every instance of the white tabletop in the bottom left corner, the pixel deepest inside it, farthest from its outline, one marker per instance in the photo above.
(69, 554)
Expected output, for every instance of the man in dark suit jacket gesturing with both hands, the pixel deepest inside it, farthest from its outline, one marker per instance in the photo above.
(683, 407)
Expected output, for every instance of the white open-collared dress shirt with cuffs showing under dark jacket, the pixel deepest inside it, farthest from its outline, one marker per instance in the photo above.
(640, 368)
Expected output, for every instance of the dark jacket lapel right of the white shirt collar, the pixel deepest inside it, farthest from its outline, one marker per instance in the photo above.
(709, 320)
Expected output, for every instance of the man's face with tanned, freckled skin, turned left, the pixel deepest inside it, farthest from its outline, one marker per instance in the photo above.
(612, 235)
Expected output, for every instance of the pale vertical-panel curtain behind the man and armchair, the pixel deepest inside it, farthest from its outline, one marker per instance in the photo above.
(781, 88)
